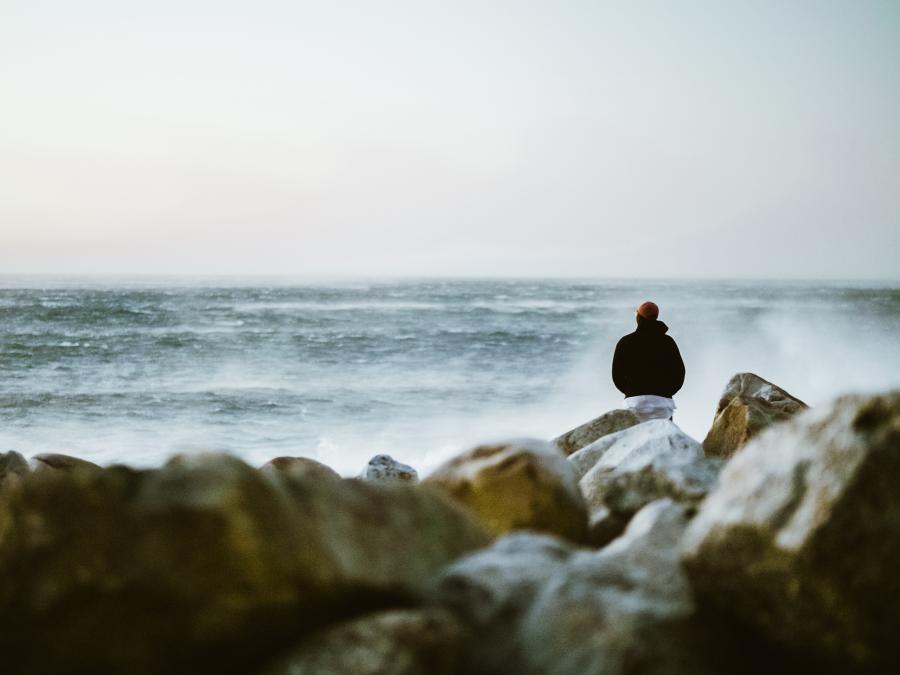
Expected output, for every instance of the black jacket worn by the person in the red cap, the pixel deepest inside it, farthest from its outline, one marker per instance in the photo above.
(647, 361)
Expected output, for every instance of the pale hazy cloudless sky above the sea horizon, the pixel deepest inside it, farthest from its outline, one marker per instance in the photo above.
(562, 138)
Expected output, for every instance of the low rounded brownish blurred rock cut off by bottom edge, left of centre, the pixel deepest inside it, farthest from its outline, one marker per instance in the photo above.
(396, 642)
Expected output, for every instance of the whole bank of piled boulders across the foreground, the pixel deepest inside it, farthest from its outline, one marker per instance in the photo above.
(616, 548)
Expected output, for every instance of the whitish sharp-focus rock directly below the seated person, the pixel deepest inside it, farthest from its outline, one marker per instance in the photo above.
(637, 466)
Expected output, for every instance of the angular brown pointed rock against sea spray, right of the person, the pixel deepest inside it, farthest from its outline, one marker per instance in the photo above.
(748, 405)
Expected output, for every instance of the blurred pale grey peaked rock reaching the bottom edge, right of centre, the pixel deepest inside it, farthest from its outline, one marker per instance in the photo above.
(625, 609)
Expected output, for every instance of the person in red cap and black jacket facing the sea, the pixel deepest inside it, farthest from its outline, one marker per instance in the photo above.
(647, 367)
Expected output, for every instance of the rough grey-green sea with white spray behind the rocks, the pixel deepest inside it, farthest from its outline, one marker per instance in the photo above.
(134, 370)
